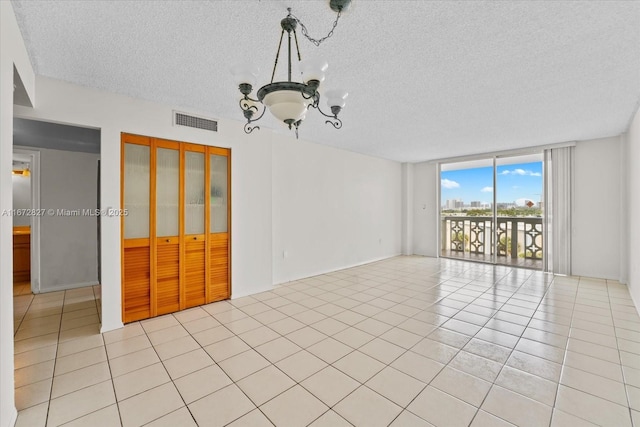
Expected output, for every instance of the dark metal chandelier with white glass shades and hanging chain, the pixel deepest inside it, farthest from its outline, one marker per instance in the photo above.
(289, 101)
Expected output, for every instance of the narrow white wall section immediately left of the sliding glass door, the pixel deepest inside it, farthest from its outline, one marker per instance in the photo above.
(425, 209)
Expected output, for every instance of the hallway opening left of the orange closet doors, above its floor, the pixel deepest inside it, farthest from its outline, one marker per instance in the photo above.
(56, 191)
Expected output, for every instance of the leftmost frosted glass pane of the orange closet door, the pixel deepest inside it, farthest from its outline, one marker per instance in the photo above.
(136, 190)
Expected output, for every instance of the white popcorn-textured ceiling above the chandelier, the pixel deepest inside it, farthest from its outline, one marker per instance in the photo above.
(426, 79)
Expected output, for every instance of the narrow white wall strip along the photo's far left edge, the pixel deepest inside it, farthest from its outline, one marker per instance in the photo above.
(12, 54)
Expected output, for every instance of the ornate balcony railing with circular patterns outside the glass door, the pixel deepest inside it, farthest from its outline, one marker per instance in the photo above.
(519, 239)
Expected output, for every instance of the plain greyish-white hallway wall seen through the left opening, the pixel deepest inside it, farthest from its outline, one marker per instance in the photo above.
(68, 244)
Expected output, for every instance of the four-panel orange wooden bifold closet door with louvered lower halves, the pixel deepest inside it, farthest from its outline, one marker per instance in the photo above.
(175, 238)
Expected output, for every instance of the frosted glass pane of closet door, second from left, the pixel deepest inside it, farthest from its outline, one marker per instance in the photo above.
(167, 192)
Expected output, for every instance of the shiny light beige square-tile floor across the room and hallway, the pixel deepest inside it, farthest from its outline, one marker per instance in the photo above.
(408, 341)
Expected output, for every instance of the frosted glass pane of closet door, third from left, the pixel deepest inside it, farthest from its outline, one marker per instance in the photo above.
(194, 193)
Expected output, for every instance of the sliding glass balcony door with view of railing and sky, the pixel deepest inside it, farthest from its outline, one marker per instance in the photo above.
(492, 210)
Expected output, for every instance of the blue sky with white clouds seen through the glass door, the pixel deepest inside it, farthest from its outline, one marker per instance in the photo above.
(516, 183)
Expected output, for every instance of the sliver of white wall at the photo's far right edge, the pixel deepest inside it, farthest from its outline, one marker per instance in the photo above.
(633, 203)
